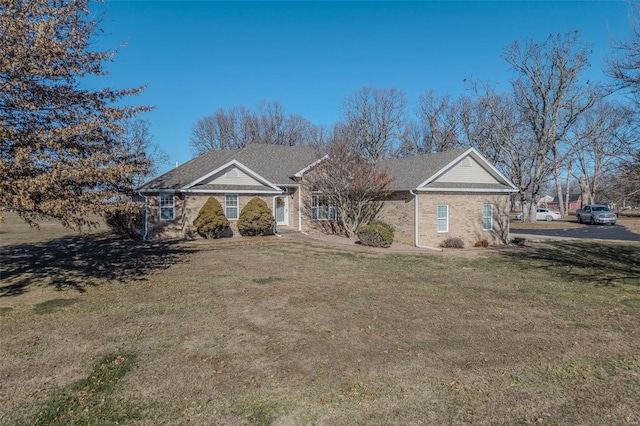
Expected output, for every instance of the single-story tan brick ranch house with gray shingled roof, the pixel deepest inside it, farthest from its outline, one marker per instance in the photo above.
(432, 197)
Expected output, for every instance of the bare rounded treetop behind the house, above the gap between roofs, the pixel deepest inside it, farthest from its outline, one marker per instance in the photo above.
(373, 121)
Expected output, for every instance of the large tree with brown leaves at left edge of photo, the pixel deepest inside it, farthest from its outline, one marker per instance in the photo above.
(59, 153)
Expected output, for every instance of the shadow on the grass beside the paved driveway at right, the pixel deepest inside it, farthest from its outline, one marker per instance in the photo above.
(600, 263)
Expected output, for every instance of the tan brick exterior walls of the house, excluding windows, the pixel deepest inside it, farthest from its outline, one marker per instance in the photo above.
(465, 216)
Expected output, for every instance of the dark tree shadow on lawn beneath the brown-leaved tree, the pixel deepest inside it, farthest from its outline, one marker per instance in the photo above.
(80, 261)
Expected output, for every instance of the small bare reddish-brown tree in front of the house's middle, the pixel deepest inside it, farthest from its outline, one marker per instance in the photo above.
(353, 183)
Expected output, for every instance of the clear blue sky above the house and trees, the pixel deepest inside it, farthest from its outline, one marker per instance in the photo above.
(198, 56)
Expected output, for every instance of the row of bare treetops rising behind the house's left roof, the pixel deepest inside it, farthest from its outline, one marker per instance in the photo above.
(238, 127)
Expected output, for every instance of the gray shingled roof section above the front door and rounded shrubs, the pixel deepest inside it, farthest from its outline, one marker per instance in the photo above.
(275, 163)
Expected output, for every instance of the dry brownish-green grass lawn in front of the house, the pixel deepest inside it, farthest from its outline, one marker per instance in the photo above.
(280, 331)
